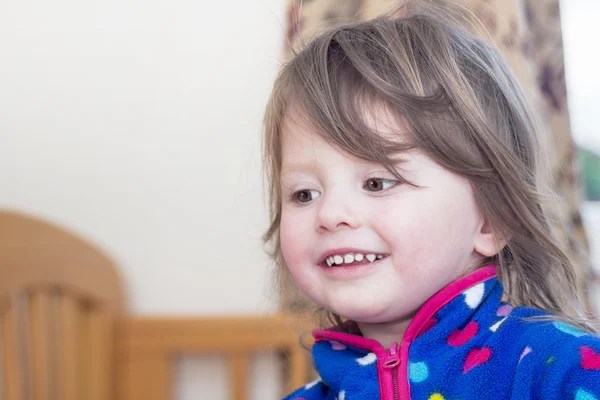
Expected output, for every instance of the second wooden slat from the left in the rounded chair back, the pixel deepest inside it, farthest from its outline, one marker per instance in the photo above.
(39, 315)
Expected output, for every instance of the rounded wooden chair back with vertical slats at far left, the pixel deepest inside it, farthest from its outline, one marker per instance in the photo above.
(59, 301)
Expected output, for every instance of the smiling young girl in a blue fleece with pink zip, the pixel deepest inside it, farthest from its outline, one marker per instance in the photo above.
(406, 201)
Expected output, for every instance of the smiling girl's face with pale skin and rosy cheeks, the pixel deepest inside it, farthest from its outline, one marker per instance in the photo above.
(334, 204)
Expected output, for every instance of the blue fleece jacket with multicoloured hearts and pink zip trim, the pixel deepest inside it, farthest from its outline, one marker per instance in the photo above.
(464, 343)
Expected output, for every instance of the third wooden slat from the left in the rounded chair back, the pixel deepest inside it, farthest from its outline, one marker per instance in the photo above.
(69, 370)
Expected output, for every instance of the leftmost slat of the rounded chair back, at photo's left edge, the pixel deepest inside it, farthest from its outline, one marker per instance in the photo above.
(13, 360)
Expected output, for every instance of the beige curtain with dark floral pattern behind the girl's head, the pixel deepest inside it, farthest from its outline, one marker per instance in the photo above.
(528, 34)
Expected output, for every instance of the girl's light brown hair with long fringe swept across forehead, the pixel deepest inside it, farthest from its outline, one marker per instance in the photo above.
(461, 105)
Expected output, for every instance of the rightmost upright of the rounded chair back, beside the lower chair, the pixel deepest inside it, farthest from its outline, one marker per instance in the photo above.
(97, 382)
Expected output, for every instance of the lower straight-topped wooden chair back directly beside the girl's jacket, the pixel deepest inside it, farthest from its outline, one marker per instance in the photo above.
(151, 346)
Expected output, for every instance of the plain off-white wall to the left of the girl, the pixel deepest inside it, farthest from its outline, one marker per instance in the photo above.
(137, 124)
